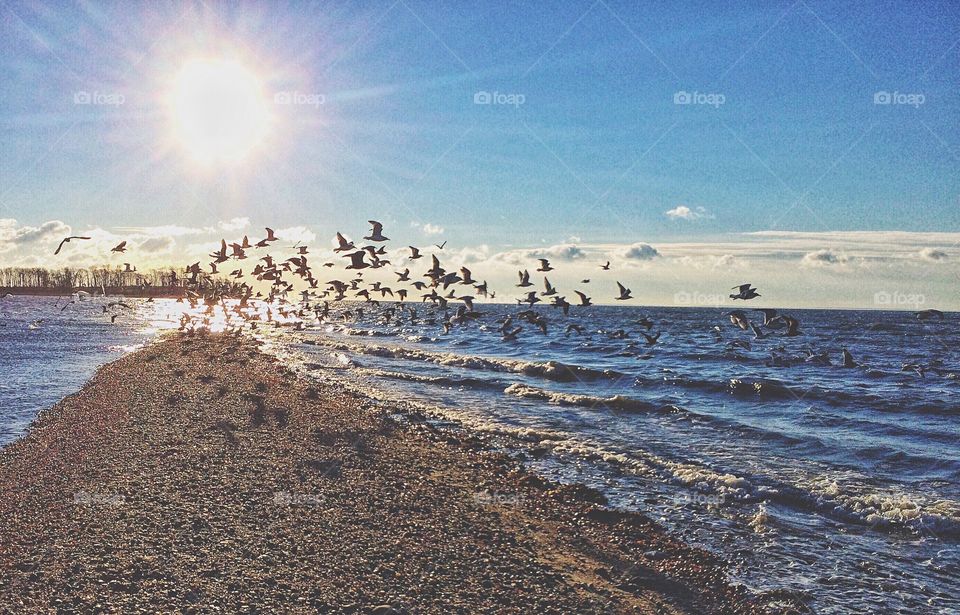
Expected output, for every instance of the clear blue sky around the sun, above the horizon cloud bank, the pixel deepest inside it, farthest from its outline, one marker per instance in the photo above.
(595, 152)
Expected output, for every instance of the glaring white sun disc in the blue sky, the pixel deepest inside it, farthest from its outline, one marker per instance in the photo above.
(218, 110)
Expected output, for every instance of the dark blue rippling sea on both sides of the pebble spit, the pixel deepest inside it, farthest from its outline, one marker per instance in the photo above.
(839, 485)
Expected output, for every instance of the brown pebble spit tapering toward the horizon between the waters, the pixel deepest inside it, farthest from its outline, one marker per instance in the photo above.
(199, 473)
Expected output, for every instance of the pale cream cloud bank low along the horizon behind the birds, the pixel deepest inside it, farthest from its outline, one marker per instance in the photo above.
(793, 269)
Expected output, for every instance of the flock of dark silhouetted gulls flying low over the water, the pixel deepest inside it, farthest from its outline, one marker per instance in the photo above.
(436, 284)
